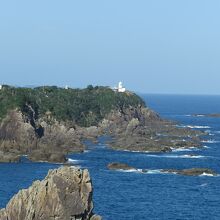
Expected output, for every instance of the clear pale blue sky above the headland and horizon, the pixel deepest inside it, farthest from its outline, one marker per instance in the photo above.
(153, 46)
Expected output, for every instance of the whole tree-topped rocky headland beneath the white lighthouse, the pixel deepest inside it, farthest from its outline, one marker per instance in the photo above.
(47, 123)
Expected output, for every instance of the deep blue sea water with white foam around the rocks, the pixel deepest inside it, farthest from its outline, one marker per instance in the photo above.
(133, 195)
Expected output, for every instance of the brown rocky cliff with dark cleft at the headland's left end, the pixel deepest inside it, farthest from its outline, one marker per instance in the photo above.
(19, 137)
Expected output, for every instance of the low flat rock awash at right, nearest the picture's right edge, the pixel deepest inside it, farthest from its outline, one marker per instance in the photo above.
(192, 171)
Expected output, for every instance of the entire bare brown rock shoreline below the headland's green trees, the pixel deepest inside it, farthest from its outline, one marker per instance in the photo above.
(133, 129)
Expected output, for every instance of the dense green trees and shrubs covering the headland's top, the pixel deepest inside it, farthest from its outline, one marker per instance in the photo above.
(85, 107)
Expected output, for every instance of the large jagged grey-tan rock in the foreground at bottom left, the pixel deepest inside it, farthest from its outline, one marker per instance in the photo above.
(64, 194)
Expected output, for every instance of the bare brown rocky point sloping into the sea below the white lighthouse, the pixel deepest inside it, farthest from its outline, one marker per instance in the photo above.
(141, 129)
